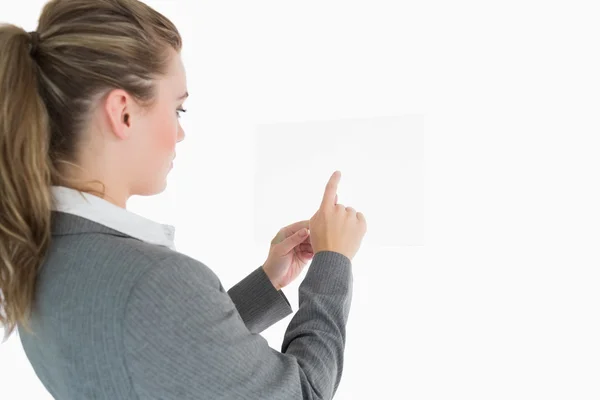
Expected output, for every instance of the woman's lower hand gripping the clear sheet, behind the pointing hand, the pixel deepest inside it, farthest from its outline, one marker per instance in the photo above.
(289, 253)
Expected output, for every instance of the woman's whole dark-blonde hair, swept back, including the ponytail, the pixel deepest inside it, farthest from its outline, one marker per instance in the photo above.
(86, 49)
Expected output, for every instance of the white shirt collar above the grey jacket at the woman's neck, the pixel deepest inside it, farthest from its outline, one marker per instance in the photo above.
(102, 211)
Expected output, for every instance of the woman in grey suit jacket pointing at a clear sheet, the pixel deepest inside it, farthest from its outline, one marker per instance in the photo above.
(108, 308)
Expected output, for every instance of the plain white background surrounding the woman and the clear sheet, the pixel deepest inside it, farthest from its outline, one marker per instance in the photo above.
(499, 298)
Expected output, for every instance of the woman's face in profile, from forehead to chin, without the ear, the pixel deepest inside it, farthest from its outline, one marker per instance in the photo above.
(157, 132)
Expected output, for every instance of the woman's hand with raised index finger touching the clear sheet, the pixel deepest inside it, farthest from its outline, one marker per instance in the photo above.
(335, 227)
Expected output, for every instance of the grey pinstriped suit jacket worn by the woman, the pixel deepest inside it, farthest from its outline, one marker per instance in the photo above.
(119, 318)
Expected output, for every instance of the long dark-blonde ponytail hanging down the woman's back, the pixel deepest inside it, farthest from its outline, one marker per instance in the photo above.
(25, 178)
